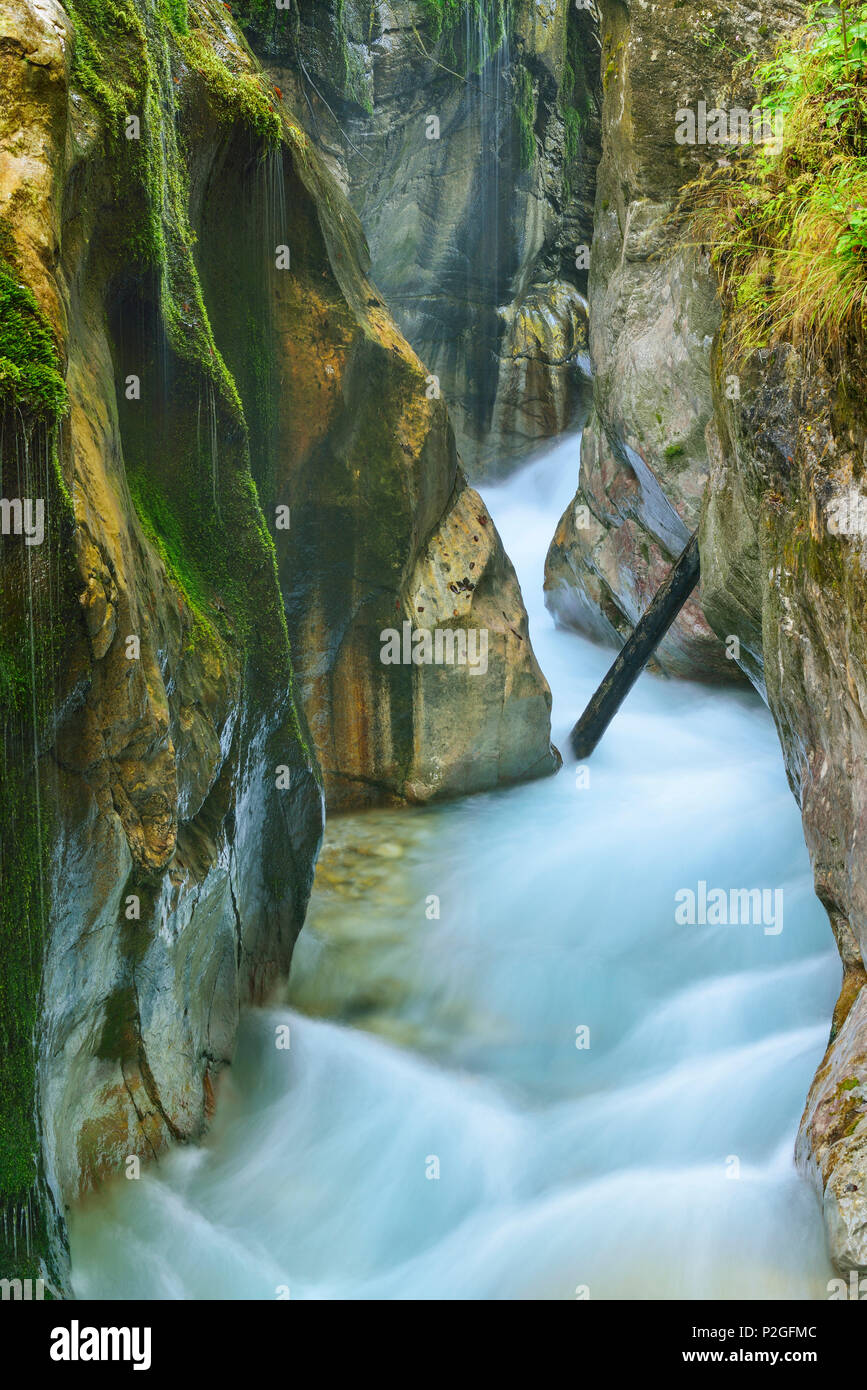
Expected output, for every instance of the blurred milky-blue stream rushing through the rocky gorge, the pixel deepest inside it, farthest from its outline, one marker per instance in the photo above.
(611, 1167)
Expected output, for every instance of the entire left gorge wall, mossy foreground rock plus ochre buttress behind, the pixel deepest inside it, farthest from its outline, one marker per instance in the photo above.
(222, 445)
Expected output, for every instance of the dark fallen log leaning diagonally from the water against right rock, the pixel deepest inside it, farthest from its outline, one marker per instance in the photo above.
(637, 653)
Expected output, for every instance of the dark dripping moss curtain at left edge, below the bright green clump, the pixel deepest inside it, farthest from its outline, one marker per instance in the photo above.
(37, 612)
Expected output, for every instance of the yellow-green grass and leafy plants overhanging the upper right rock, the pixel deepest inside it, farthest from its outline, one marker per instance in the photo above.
(787, 220)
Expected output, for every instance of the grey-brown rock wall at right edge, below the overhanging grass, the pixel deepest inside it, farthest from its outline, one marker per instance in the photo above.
(784, 561)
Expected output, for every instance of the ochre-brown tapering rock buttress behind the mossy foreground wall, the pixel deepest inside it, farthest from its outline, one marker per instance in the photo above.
(380, 536)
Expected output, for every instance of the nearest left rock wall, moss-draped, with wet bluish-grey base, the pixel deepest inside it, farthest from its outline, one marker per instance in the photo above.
(173, 799)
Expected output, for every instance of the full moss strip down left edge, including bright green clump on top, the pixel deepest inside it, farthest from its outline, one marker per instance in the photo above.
(33, 622)
